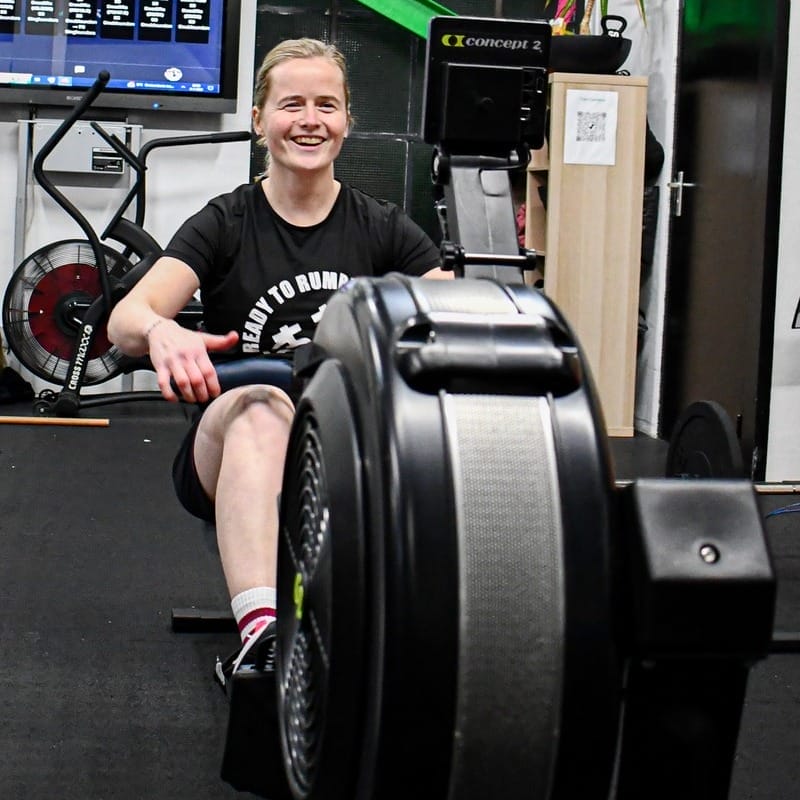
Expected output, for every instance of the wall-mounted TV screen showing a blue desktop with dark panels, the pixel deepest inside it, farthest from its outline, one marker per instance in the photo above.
(175, 55)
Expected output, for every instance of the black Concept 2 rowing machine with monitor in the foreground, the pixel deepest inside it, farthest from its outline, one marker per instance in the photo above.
(469, 606)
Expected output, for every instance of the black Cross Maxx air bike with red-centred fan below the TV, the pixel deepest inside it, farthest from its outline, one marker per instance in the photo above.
(58, 300)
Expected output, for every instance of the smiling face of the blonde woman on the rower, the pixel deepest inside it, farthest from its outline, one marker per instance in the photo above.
(304, 118)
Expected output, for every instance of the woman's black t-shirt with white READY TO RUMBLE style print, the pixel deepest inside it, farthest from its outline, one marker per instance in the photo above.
(269, 280)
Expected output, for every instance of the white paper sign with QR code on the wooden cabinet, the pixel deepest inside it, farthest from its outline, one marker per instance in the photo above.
(590, 127)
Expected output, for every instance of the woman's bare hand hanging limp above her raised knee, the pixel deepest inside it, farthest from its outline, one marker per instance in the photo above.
(180, 358)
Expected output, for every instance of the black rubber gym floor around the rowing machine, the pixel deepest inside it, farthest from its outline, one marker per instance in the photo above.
(102, 700)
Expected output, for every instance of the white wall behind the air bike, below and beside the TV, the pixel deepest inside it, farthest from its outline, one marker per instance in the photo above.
(179, 180)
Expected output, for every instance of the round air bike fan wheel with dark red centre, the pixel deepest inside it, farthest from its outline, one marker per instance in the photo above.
(44, 305)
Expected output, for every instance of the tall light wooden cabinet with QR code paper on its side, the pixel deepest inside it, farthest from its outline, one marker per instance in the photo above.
(591, 232)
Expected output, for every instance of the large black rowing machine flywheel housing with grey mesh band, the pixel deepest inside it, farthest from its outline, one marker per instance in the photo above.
(445, 553)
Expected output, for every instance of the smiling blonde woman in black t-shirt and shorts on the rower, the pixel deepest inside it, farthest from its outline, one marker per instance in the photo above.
(265, 257)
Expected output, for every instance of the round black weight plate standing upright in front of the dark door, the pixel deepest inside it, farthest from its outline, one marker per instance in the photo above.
(704, 444)
